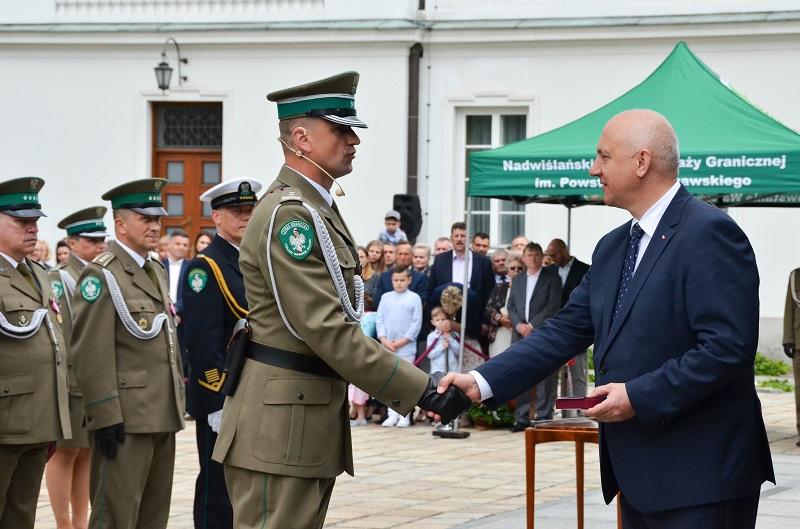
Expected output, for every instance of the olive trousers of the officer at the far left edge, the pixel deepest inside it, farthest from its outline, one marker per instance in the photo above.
(21, 469)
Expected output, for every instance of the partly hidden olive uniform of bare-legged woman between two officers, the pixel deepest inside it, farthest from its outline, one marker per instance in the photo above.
(72, 268)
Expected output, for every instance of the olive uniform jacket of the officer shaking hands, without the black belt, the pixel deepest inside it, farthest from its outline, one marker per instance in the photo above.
(284, 421)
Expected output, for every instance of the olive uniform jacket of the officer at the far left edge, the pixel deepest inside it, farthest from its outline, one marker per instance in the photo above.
(34, 401)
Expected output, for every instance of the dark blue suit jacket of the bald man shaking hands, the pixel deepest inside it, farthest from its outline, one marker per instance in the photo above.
(683, 342)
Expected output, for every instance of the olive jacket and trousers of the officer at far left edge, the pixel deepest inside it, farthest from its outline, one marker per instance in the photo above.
(34, 406)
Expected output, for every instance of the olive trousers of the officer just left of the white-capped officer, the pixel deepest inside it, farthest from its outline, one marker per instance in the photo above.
(133, 490)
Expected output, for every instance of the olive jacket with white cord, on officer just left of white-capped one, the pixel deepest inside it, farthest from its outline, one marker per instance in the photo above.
(123, 378)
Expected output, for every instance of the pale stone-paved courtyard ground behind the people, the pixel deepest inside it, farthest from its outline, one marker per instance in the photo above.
(408, 479)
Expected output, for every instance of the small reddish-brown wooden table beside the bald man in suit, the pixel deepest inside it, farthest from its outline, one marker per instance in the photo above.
(579, 431)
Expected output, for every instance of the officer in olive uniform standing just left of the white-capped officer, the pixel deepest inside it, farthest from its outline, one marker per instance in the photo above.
(129, 368)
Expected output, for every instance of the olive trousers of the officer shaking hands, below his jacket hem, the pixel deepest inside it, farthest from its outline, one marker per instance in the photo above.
(271, 501)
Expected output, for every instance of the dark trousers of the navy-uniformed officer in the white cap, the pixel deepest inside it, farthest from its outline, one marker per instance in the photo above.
(212, 507)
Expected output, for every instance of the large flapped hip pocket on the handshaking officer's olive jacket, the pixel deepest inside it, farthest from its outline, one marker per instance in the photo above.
(297, 419)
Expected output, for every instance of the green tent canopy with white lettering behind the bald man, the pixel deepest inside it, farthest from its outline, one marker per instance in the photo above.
(732, 153)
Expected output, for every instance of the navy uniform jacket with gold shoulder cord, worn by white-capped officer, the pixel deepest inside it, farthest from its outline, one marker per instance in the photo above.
(208, 320)
